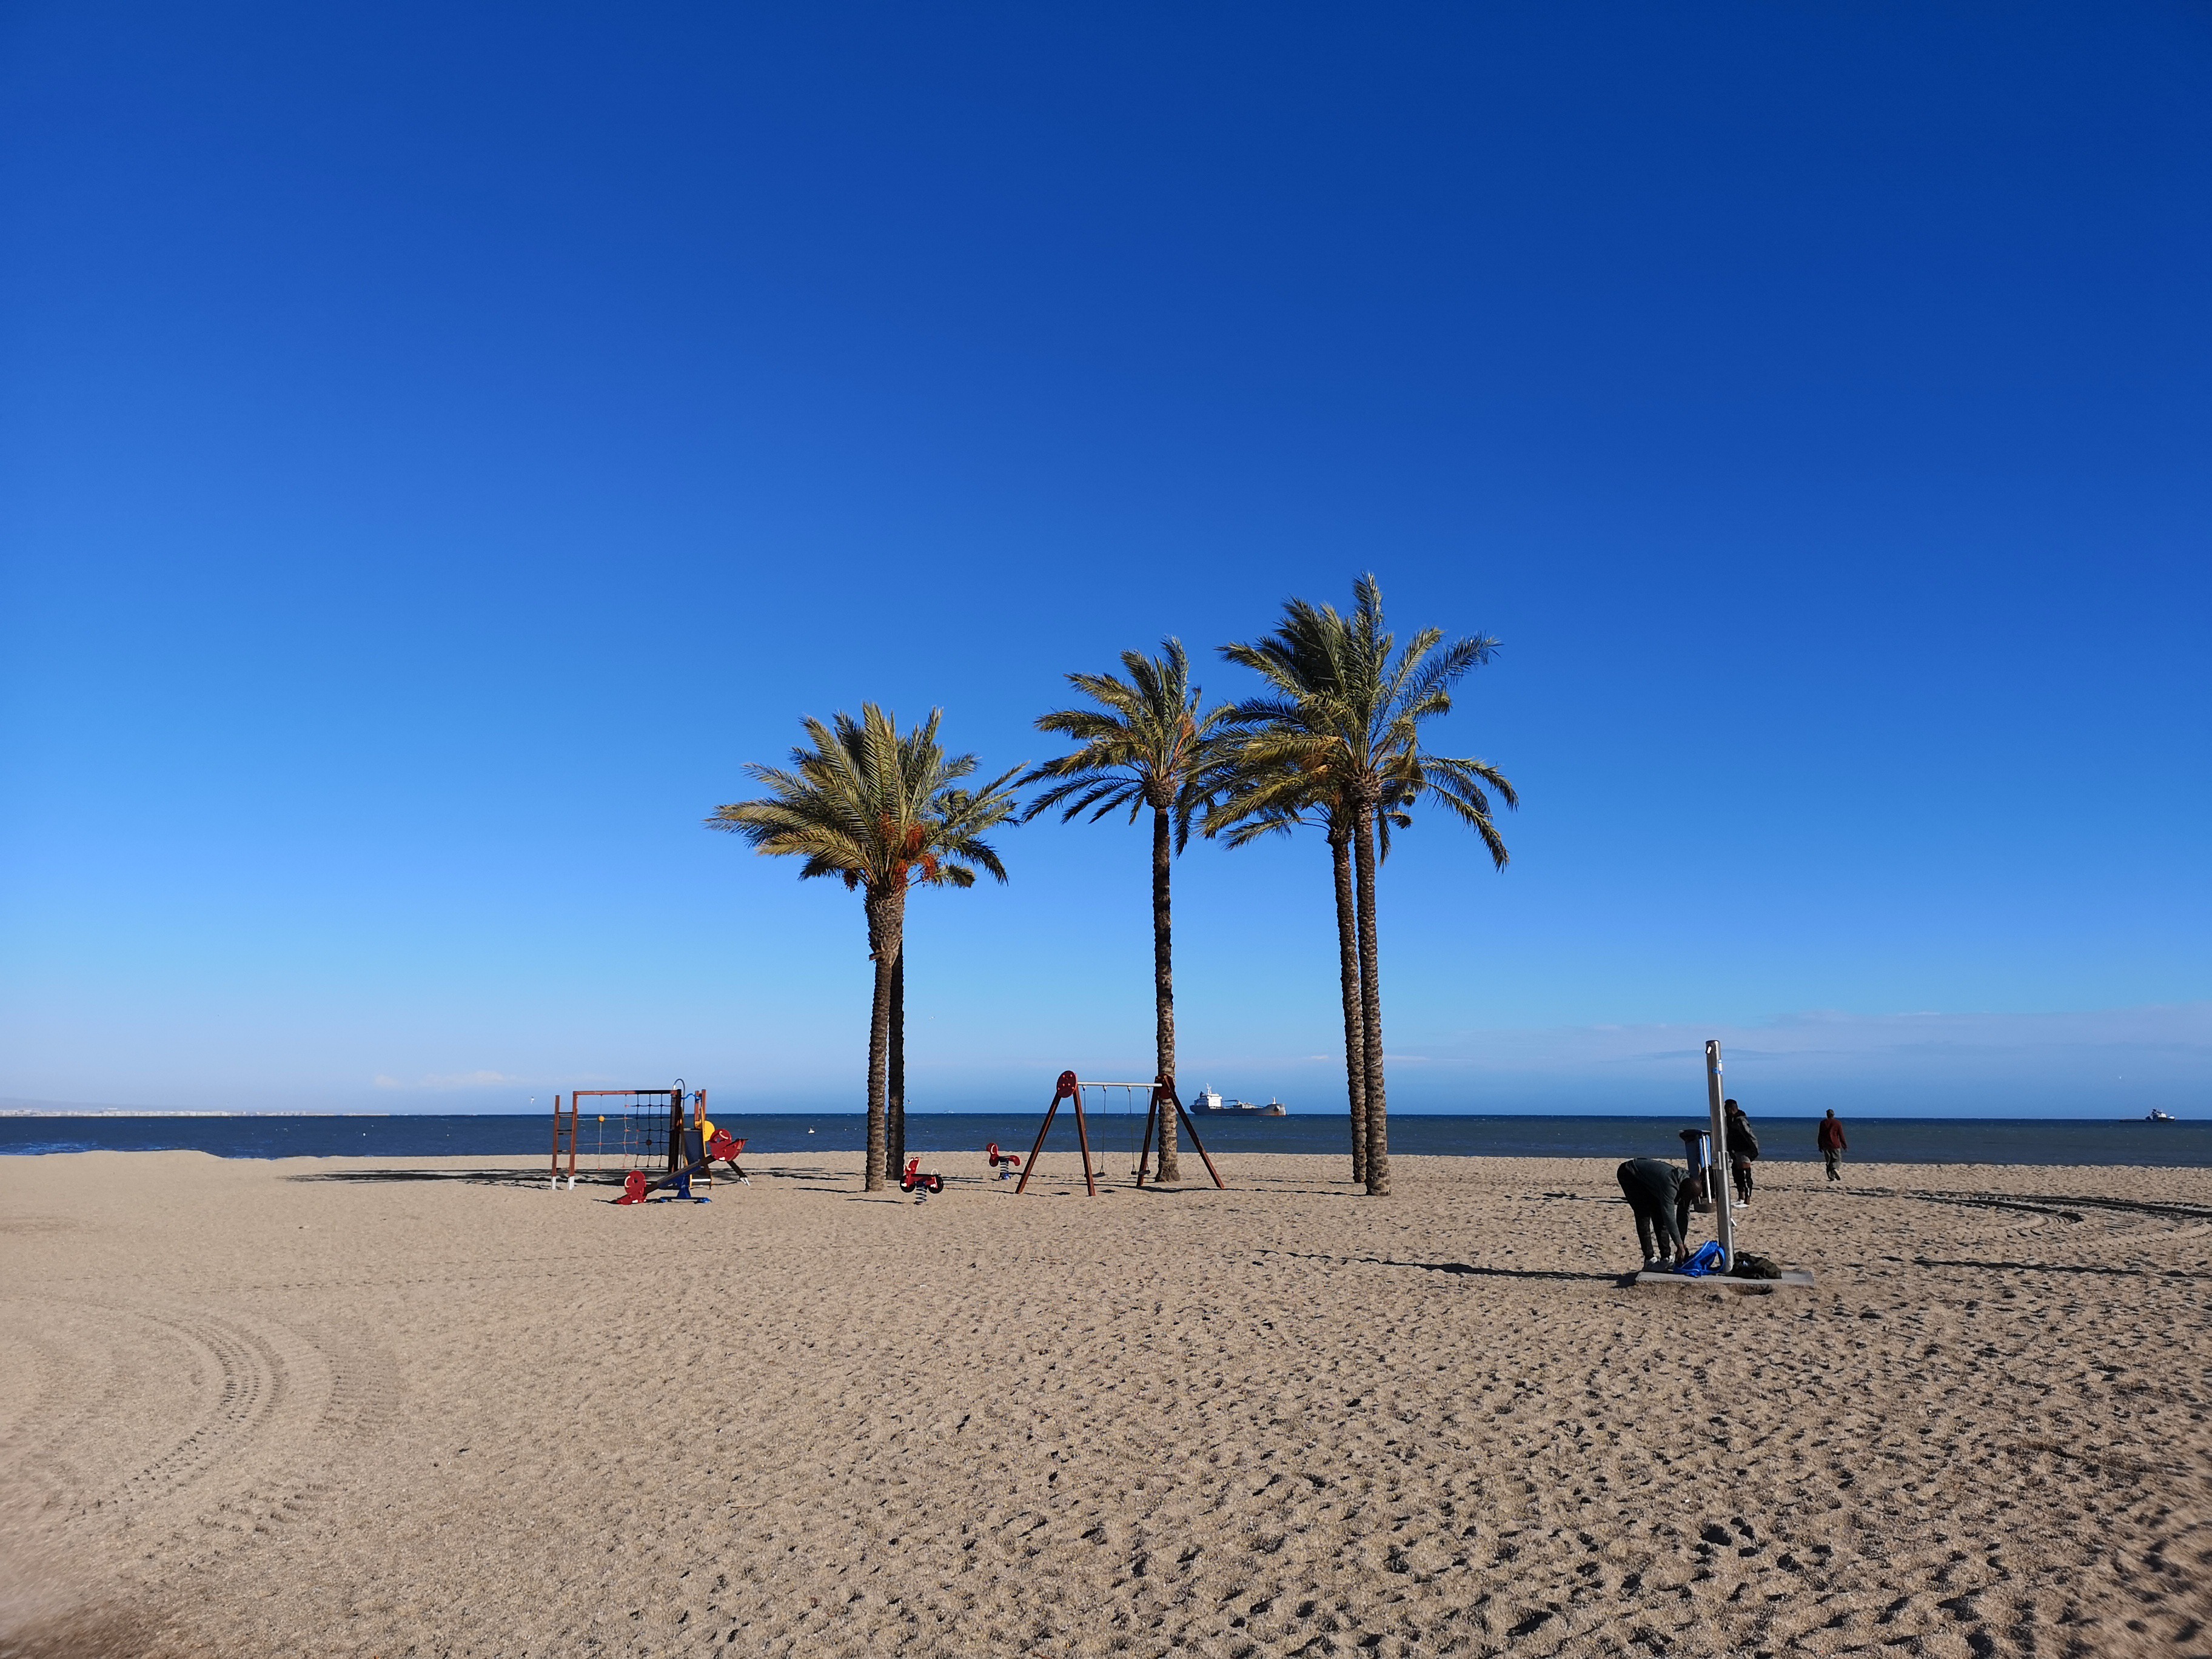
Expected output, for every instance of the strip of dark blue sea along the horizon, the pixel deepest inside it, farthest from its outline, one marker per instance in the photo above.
(1114, 1136)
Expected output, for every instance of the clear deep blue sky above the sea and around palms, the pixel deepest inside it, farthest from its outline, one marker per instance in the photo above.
(441, 446)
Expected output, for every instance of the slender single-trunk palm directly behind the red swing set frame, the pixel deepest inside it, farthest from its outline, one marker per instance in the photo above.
(1149, 744)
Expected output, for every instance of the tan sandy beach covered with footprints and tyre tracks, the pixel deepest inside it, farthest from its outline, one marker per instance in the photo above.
(320, 1408)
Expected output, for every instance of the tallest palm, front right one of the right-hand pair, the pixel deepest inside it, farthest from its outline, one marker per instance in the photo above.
(1344, 720)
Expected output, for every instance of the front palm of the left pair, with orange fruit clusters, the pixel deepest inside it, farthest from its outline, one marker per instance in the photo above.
(884, 815)
